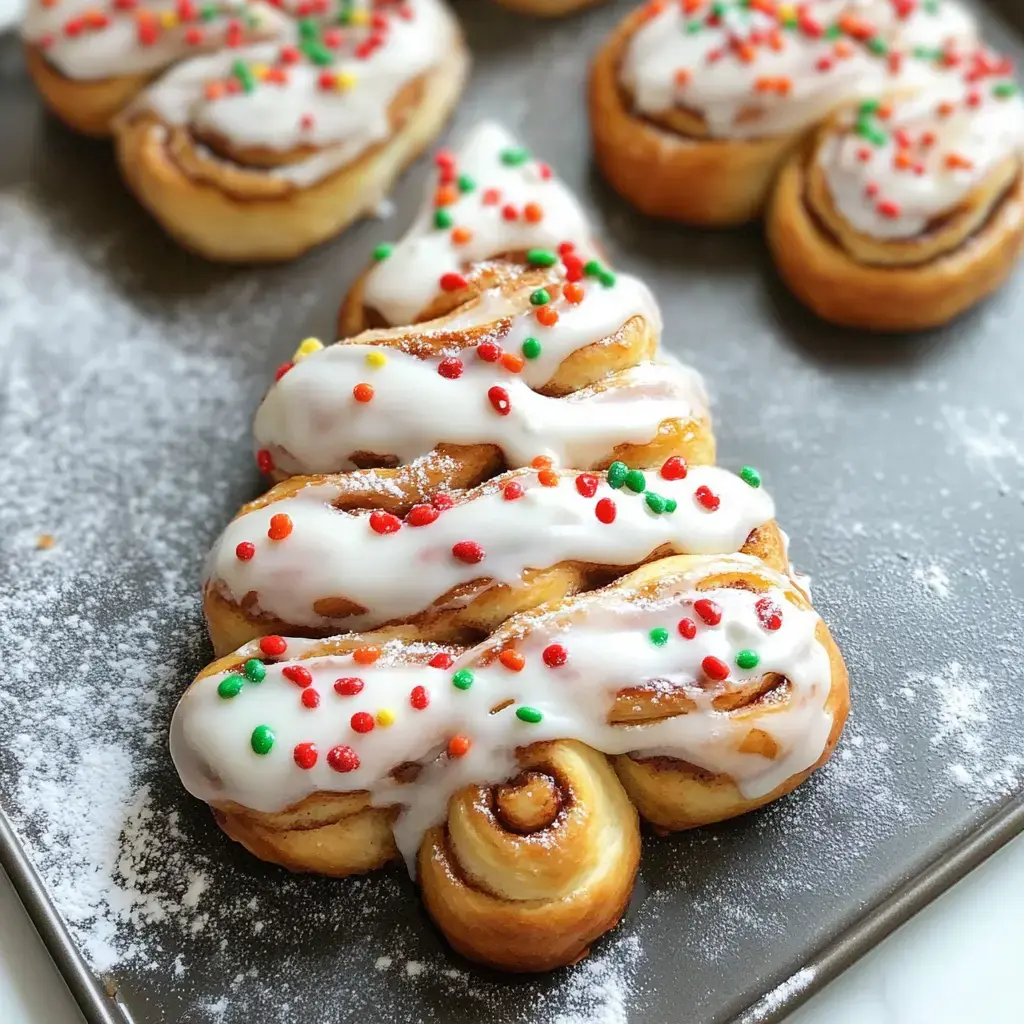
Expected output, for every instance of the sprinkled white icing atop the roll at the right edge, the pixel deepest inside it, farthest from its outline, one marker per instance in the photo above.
(898, 165)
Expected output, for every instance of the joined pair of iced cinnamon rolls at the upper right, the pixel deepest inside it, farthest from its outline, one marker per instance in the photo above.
(882, 138)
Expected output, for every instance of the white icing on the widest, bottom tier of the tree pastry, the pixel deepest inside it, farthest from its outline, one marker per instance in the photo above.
(610, 649)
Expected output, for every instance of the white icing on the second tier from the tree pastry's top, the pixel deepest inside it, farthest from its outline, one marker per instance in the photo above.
(311, 422)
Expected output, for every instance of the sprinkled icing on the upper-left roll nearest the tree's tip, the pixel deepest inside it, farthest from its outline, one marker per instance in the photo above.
(303, 94)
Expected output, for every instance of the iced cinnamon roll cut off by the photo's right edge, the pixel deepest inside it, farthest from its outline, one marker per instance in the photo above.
(908, 210)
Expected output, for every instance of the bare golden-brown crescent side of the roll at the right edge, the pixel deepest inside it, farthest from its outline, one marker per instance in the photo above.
(843, 277)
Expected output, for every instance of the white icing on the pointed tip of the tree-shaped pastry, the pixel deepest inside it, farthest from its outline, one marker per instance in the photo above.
(404, 285)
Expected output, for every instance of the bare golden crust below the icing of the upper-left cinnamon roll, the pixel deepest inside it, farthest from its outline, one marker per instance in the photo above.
(238, 212)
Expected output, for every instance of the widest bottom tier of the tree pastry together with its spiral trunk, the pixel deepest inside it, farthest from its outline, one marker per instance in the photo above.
(487, 763)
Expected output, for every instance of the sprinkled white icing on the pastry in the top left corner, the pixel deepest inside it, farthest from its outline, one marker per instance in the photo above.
(91, 41)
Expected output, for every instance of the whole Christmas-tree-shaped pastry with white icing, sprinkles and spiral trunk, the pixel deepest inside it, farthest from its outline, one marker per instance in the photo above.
(501, 606)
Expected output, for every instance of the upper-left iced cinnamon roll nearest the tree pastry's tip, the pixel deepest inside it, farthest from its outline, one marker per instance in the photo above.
(264, 152)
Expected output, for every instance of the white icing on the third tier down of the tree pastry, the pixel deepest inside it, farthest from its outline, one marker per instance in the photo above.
(331, 553)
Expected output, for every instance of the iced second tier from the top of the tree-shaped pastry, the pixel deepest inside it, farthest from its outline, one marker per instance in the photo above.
(540, 367)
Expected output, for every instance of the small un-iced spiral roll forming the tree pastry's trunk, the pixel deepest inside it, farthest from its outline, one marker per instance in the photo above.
(525, 876)
